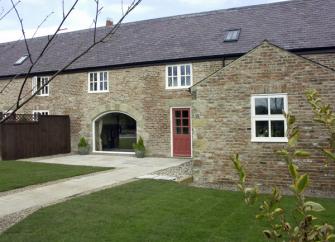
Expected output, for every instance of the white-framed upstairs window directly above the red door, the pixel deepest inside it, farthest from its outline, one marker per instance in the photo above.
(179, 76)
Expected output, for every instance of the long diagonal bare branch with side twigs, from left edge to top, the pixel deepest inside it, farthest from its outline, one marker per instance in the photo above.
(109, 34)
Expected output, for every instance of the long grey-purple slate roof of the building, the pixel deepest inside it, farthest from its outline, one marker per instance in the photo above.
(292, 25)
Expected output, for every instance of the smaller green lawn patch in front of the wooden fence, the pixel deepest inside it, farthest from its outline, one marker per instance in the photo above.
(17, 174)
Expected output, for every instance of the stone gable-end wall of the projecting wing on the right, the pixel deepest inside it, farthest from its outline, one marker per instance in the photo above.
(222, 119)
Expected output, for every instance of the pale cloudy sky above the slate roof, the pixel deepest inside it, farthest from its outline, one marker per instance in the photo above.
(33, 12)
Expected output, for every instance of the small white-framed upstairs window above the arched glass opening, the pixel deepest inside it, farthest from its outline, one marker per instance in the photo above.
(98, 81)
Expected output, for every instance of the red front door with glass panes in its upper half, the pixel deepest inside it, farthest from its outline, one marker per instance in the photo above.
(181, 125)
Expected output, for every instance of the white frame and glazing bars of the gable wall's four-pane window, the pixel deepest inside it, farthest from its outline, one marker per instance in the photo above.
(269, 117)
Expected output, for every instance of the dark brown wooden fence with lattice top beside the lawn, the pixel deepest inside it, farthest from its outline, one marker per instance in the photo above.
(24, 136)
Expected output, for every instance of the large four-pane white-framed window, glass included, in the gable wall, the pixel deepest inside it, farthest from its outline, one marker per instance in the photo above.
(268, 123)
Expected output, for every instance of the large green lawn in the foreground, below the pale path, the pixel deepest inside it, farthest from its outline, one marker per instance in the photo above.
(148, 211)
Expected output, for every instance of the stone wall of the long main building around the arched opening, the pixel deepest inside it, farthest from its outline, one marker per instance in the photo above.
(139, 92)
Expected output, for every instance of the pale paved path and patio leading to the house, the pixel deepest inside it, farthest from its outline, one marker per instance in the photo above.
(127, 168)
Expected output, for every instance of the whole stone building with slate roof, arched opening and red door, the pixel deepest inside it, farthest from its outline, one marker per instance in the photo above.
(203, 85)
